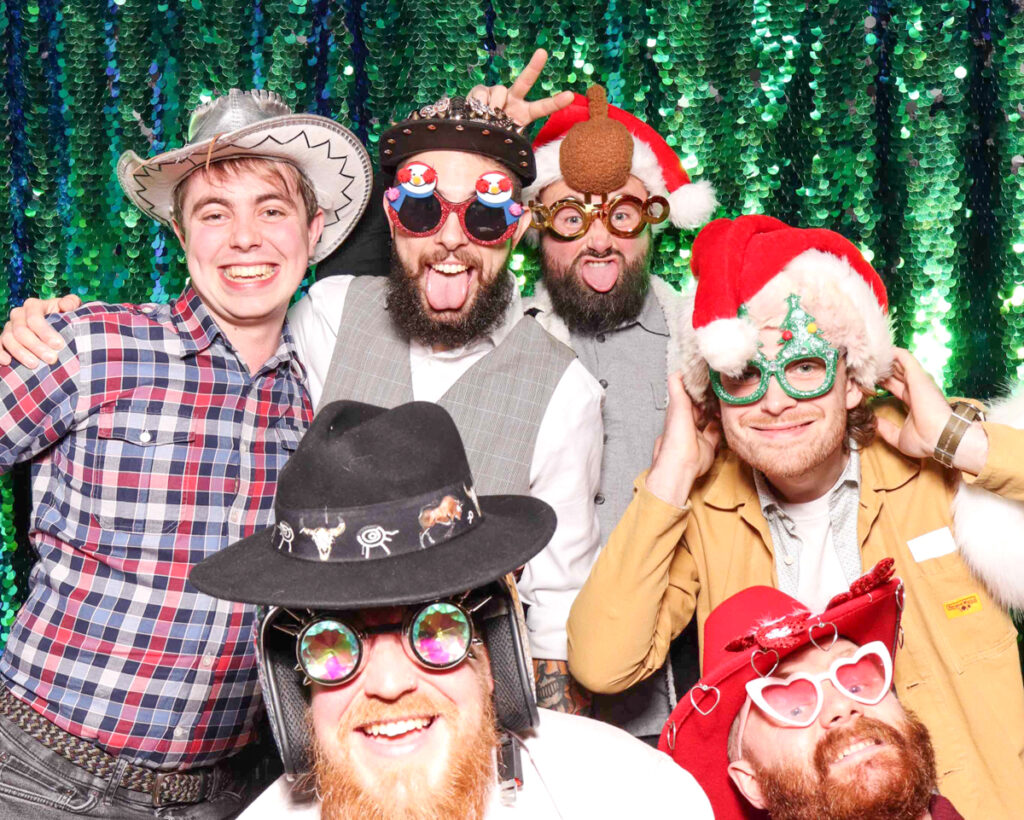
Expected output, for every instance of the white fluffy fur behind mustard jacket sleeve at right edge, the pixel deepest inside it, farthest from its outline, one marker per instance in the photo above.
(988, 527)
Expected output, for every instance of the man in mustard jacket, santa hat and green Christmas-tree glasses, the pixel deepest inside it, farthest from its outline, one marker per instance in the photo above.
(776, 469)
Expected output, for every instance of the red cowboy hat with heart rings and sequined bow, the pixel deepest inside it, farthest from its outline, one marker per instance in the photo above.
(746, 637)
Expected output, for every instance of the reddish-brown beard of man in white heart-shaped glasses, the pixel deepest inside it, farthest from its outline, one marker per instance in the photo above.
(905, 794)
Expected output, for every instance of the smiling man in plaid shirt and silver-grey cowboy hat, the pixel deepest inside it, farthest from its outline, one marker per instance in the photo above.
(157, 434)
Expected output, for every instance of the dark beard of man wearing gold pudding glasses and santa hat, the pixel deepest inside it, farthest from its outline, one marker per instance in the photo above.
(588, 313)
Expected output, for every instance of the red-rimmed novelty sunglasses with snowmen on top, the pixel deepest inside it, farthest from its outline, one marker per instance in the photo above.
(415, 207)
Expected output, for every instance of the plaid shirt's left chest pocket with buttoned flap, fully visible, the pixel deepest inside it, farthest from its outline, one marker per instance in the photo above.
(138, 464)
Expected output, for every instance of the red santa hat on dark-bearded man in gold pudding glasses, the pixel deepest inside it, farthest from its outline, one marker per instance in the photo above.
(654, 163)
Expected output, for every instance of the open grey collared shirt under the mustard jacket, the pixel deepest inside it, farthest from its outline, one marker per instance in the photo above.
(844, 500)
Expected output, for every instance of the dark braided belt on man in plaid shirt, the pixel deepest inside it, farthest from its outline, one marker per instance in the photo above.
(166, 788)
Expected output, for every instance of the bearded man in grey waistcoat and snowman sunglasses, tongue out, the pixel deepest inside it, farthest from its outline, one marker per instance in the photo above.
(448, 326)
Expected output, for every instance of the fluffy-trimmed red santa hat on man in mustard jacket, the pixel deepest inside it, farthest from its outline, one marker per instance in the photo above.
(754, 264)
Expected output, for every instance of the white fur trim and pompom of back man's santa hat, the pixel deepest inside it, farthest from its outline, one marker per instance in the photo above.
(690, 206)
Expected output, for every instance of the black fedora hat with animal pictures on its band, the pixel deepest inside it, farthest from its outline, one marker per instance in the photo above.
(377, 508)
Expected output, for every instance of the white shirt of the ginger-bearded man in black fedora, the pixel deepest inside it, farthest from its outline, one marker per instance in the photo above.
(573, 768)
